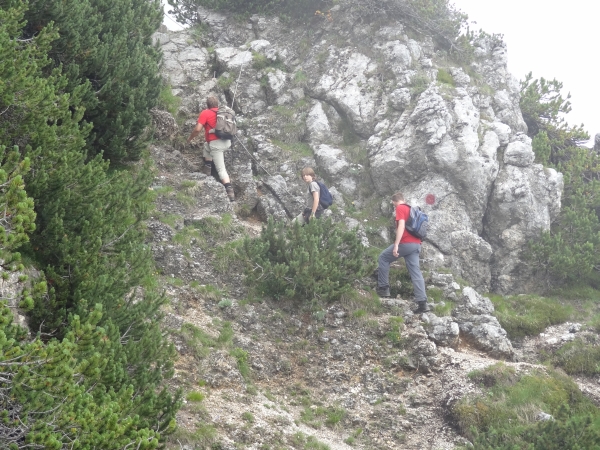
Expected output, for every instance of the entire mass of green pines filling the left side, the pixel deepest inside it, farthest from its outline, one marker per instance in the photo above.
(98, 376)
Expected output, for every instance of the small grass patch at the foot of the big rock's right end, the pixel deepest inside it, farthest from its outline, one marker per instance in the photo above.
(528, 315)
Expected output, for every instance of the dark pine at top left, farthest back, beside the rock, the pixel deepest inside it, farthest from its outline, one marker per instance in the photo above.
(106, 52)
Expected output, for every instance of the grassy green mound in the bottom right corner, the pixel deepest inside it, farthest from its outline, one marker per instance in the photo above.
(509, 407)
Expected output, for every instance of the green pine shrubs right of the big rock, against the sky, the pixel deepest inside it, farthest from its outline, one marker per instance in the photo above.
(570, 251)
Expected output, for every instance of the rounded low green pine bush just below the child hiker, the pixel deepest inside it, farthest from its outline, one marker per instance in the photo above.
(319, 261)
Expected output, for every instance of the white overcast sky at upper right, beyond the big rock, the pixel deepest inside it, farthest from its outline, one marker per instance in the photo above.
(552, 39)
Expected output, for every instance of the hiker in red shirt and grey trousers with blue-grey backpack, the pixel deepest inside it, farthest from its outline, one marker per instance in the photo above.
(411, 227)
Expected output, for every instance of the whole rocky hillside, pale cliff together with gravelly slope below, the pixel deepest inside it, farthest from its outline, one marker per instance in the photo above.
(373, 120)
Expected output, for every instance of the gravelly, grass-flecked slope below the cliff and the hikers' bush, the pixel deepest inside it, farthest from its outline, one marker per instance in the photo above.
(355, 374)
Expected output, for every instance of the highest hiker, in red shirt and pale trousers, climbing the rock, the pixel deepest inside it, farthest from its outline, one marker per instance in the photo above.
(219, 129)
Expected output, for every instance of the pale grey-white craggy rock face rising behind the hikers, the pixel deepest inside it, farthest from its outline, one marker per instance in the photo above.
(460, 151)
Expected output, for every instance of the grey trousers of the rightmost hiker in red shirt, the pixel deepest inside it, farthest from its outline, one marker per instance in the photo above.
(410, 253)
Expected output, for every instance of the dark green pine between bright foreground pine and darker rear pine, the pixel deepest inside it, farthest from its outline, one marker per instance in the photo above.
(89, 236)
